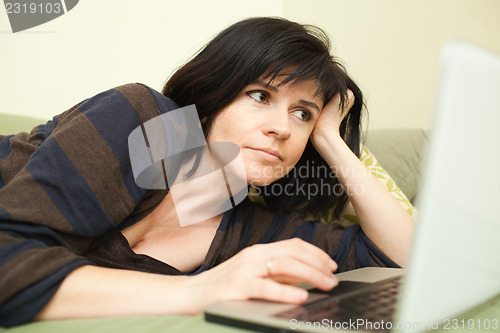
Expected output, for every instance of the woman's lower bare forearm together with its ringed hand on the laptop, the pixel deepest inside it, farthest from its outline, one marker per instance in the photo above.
(90, 291)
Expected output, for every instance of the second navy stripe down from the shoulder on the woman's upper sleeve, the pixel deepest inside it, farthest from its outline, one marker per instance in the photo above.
(69, 191)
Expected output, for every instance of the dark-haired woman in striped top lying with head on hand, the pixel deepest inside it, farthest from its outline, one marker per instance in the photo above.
(89, 239)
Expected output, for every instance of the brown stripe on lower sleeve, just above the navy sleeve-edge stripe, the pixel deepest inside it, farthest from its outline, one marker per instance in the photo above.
(29, 267)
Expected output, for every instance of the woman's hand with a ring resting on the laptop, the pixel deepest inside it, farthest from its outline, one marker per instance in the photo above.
(265, 271)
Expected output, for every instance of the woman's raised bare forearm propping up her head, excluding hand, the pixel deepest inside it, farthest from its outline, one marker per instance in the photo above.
(382, 218)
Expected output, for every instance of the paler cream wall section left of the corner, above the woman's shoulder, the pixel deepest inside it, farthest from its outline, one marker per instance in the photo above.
(104, 43)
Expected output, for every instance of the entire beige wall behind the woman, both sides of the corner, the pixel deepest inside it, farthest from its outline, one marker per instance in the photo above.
(390, 47)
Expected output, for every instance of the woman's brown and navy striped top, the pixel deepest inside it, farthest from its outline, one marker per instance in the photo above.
(67, 190)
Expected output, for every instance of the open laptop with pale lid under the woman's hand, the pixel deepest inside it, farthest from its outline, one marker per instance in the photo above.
(454, 264)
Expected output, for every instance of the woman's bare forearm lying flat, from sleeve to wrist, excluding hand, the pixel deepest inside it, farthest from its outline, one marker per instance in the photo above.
(90, 292)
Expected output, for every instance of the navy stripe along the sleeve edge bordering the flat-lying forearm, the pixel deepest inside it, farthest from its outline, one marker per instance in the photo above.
(26, 304)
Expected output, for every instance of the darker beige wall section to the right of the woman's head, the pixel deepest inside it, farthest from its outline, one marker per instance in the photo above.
(391, 47)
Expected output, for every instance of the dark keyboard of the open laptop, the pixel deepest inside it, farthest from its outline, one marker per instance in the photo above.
(366, 304)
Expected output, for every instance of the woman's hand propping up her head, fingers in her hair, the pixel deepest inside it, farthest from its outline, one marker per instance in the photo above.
(330, 119)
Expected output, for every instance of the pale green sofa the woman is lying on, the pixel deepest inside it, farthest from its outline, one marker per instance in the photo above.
(400, 152)
